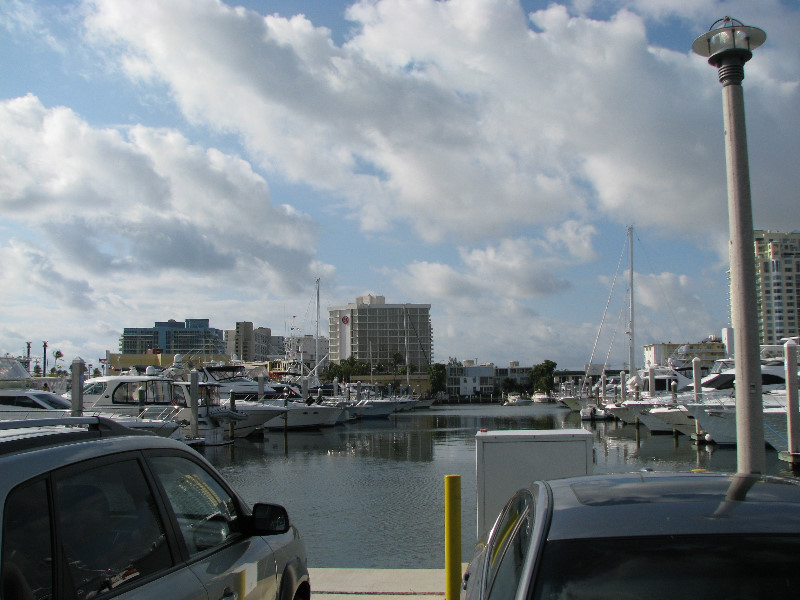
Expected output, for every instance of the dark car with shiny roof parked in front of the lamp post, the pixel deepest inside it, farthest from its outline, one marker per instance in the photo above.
(643, 535)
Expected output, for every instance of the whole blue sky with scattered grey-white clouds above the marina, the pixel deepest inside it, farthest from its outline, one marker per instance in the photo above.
(175, 159)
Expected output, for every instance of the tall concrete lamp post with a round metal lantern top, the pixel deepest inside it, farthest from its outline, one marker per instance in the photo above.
(728, 45)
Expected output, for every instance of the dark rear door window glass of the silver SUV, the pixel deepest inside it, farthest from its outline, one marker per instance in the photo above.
(110, 531)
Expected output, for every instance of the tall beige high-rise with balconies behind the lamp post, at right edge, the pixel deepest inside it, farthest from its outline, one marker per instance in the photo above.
(777, 258)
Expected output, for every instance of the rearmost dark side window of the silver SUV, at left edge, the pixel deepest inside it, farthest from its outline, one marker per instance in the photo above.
(27, 555)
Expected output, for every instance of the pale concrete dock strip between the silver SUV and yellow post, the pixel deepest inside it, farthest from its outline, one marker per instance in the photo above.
(377, 584)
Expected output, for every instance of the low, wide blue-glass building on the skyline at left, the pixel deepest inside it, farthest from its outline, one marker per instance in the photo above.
(193, 336)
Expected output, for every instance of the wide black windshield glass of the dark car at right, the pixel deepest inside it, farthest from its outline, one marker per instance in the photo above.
(669, 567)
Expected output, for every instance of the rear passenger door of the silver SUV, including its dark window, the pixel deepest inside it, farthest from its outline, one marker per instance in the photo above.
(112, 536)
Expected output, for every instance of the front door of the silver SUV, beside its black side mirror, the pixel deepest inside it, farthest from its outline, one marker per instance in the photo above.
(229, 563)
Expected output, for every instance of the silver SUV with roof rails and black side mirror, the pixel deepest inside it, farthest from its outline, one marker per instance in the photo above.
(92, 509)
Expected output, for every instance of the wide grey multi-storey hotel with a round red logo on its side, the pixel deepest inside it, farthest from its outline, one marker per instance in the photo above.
(372, 331)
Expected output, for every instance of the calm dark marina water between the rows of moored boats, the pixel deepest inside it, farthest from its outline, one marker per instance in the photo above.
(371, 494)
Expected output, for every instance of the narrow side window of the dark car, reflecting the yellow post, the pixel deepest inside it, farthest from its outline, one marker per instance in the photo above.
(508, 547)
